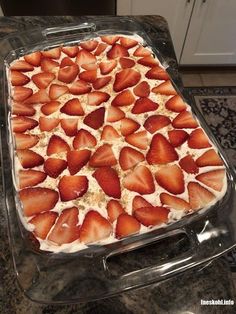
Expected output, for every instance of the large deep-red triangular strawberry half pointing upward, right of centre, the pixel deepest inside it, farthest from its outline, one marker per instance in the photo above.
(161, 151)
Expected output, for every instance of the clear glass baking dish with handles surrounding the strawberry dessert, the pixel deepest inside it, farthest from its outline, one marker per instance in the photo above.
(102, 271)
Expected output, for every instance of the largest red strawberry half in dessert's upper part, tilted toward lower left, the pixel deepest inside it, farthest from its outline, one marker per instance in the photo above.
(126, 78)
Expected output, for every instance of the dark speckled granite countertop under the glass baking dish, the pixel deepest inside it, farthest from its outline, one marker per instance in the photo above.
(181, 294)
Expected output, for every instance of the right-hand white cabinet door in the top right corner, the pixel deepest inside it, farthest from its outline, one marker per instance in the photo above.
(211, 36)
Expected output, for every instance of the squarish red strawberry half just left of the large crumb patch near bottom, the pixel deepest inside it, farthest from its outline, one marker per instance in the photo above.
(72, 187)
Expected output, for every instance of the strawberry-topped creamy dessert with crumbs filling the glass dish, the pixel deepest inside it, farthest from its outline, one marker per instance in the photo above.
(104, 147)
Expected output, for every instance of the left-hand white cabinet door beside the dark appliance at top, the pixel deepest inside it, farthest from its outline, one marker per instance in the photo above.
(176, 12)
